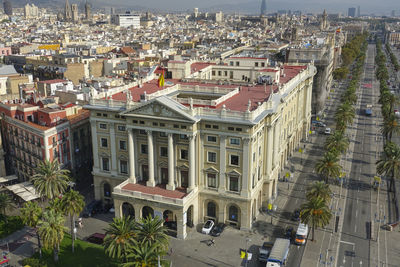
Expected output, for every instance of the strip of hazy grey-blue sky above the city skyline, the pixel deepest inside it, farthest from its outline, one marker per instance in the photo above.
(367, 6)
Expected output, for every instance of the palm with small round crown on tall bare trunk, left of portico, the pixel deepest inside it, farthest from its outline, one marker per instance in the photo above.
(72, 203)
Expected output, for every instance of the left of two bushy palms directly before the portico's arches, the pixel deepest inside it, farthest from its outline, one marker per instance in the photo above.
(119, 236)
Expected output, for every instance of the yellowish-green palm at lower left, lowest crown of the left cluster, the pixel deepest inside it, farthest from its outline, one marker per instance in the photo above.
(51, 229)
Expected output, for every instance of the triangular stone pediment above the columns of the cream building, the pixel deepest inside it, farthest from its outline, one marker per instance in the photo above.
(161, 108)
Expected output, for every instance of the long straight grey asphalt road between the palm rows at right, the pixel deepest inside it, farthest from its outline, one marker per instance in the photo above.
(354, 247)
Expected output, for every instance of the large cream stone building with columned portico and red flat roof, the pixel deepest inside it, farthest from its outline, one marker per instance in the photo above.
(192, 151)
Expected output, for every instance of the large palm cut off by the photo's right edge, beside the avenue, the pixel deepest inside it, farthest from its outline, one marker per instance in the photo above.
(389, 163)
